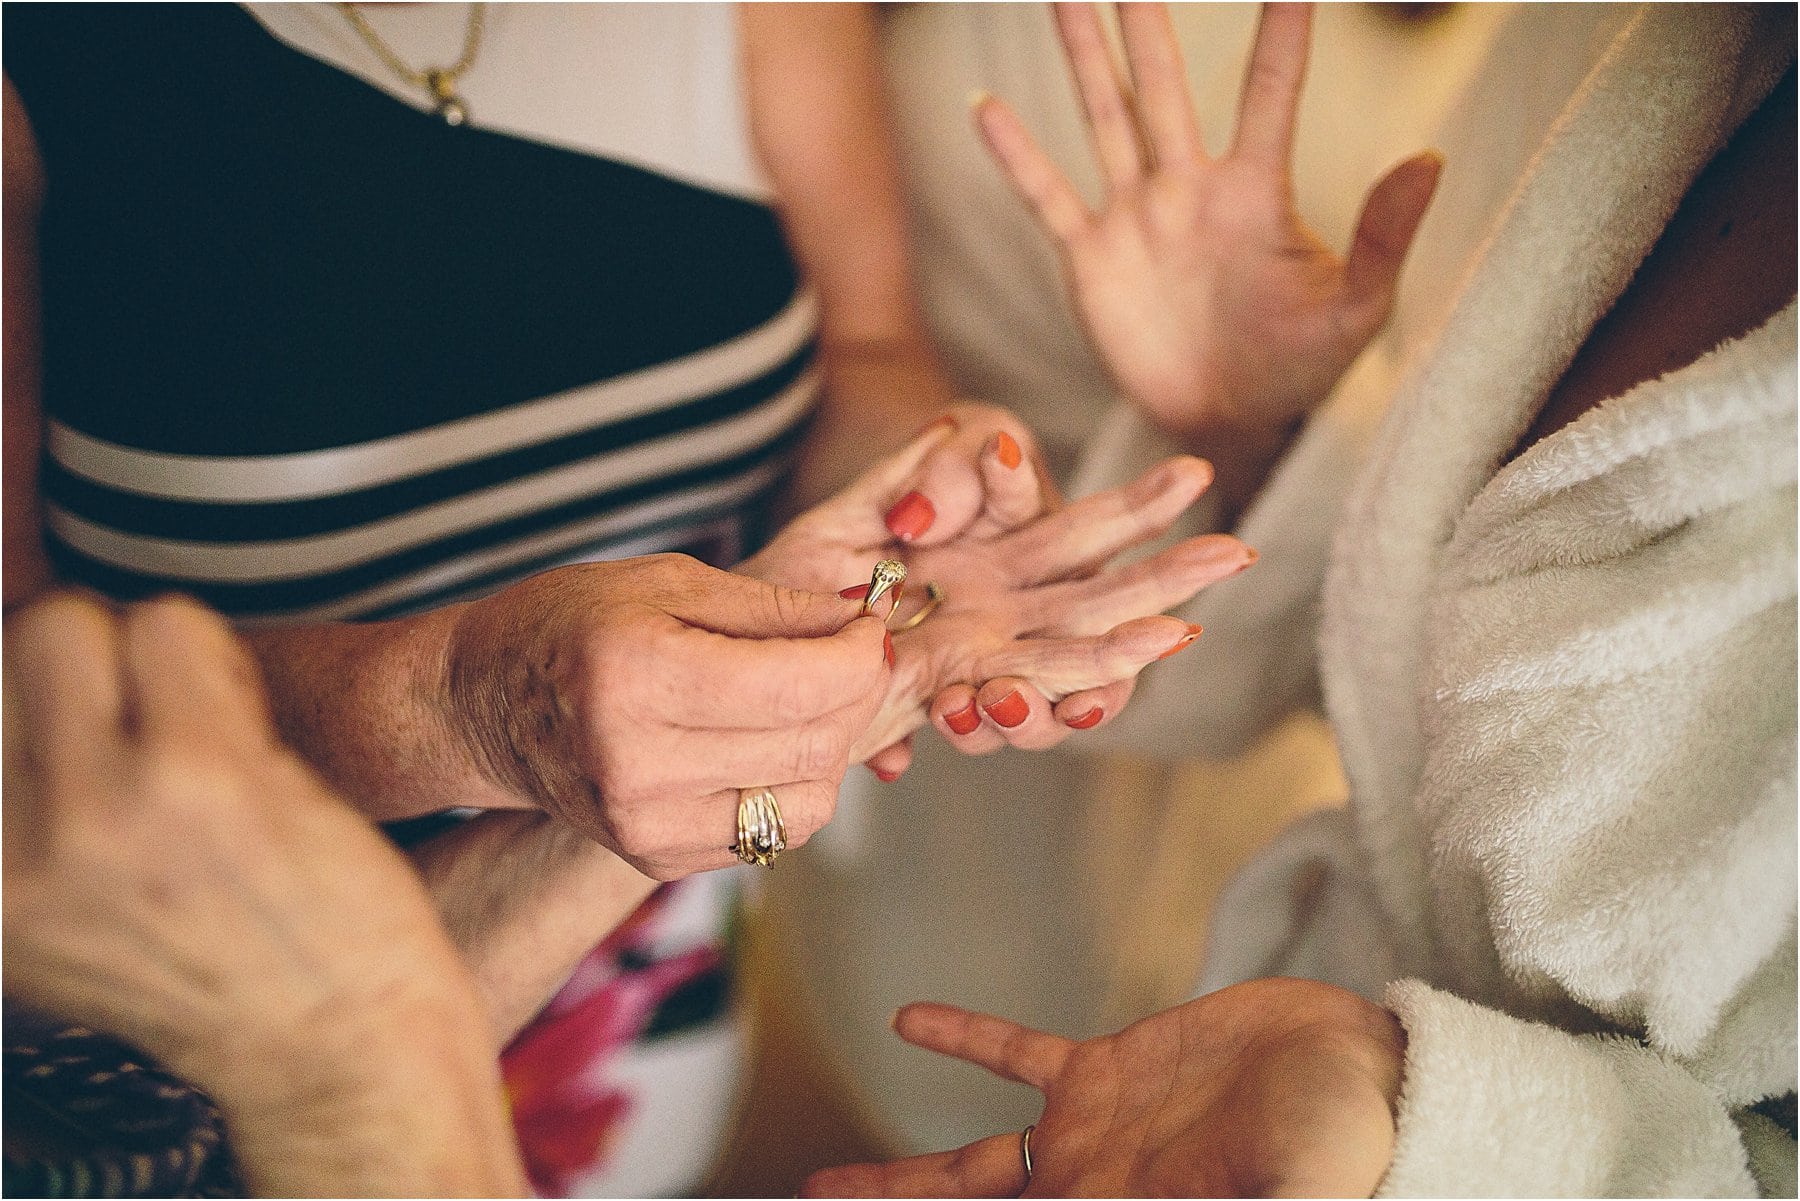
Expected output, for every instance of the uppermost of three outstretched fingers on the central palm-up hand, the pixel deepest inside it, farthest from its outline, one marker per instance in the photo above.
(1095, 528)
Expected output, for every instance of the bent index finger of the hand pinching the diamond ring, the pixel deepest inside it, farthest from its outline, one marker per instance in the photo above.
(773, 683)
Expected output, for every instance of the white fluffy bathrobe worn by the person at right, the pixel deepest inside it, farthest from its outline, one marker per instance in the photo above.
(1563, 689)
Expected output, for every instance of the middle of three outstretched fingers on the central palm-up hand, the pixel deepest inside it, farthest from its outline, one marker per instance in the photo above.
(1156, 584)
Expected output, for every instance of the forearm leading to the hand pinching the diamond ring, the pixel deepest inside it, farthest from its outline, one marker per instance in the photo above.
(370, 707)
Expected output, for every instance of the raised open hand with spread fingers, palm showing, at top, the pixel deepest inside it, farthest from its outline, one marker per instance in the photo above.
(1212, 305)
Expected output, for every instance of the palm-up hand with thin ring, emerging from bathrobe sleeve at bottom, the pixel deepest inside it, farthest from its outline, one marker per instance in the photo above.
(1268, 1088)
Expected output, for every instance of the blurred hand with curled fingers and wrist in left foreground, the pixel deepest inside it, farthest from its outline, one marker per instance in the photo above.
(181, 881)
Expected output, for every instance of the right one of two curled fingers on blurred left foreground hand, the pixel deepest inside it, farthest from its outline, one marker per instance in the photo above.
(192, 680)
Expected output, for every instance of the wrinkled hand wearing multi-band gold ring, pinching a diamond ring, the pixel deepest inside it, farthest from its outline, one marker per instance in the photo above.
(636, 700)
